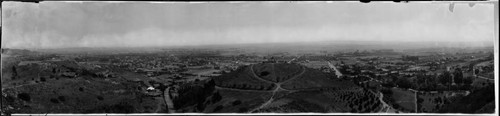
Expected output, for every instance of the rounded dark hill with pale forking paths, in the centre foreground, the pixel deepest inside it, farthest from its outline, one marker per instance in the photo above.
(290, 88)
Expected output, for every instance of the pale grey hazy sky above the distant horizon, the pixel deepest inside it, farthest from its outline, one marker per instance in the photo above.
(135, 24)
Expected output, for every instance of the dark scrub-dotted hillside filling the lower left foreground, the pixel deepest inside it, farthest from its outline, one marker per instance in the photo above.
(66, 87)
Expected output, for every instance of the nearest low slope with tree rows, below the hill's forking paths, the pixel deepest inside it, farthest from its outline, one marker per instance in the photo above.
(326, 101)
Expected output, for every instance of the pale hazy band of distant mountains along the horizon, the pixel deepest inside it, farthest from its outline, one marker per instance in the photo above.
(273, 47)
